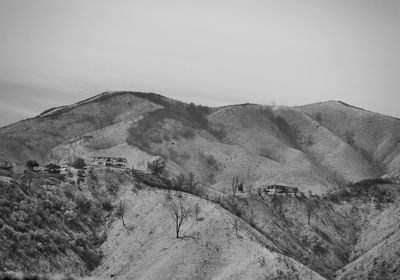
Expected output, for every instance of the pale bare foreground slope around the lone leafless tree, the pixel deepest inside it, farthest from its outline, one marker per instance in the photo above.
(146, 248)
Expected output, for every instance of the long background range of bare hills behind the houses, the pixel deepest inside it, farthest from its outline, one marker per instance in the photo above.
(315, 147)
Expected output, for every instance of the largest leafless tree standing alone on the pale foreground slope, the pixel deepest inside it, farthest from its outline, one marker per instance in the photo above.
(179, 210)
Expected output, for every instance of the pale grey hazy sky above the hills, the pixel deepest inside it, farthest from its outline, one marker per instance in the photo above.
(213, 53)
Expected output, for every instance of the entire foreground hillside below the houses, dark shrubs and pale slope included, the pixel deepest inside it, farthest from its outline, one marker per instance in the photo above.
(350, 234)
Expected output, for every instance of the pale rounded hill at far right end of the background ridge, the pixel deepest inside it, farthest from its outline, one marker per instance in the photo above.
(374, 136)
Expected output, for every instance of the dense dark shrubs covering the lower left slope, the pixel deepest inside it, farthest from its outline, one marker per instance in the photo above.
(45, 221)
